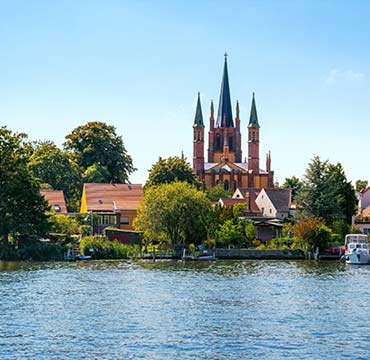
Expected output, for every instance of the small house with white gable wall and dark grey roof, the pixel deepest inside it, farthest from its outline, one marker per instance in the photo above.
(274, 203)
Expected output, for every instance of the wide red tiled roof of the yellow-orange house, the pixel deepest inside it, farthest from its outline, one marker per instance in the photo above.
(112, 197)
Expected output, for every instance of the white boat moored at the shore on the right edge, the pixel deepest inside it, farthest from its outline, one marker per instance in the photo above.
(357, 249)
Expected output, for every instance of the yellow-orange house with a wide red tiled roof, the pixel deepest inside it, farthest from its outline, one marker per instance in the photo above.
(114, 205)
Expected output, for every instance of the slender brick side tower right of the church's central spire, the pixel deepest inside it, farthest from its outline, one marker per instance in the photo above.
(253, 140)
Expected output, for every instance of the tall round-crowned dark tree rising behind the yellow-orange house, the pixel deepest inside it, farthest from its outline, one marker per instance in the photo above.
(97, 143)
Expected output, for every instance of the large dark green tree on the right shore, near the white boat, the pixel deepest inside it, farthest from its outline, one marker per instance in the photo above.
(326, 192)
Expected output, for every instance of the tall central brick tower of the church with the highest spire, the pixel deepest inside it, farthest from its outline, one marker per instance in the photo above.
(222, 132)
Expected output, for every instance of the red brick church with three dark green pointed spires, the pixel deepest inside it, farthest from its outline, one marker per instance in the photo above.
(225, 163)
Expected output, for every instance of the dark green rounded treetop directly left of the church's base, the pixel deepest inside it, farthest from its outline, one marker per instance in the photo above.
(170, 170)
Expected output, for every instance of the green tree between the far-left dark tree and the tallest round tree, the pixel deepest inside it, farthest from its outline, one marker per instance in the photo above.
(56, 169)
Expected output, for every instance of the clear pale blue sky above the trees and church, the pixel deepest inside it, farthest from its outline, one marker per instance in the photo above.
(138, 65)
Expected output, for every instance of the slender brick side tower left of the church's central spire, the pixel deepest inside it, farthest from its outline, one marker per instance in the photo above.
(198, 141)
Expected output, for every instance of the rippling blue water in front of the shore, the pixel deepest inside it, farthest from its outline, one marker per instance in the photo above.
(172, 310)
